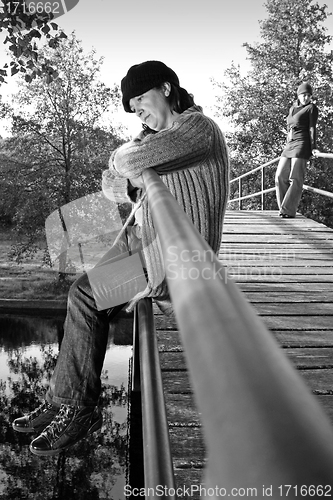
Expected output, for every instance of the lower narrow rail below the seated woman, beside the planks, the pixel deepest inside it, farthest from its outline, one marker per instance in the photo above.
(146, 376)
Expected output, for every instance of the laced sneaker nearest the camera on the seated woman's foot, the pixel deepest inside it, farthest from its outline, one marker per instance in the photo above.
(70, 425)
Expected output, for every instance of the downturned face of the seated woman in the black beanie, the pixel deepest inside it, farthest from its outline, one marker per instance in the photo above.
(153, 108)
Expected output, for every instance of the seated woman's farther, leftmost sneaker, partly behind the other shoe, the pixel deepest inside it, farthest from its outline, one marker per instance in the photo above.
(37, 420)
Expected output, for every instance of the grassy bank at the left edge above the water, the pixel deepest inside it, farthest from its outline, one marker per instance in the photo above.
(29, 280)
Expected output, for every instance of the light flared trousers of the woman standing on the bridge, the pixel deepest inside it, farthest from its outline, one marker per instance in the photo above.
(289, 180)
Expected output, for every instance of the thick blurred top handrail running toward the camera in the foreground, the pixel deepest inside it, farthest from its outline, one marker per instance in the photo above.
(261, 423)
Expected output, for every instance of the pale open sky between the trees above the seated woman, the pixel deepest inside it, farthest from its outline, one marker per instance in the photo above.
(197, 39)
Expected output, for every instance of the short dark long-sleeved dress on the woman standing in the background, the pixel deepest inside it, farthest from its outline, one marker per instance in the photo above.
(299, 121)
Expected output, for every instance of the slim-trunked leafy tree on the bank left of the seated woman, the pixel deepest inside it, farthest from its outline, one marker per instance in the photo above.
(60, 144)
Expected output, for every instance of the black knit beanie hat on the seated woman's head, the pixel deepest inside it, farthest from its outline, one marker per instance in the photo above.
(145, 76)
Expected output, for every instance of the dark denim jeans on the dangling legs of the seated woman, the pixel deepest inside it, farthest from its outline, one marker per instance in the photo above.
(76, 378)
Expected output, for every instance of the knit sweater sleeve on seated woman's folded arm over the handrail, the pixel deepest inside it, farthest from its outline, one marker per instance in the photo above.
(184, 144)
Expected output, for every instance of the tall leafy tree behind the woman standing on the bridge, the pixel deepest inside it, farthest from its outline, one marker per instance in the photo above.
(293, 48)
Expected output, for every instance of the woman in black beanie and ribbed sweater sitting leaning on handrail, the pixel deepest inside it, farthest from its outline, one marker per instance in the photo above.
(187, 149)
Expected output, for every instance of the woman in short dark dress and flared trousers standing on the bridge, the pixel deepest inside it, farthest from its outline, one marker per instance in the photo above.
(300, 146)
